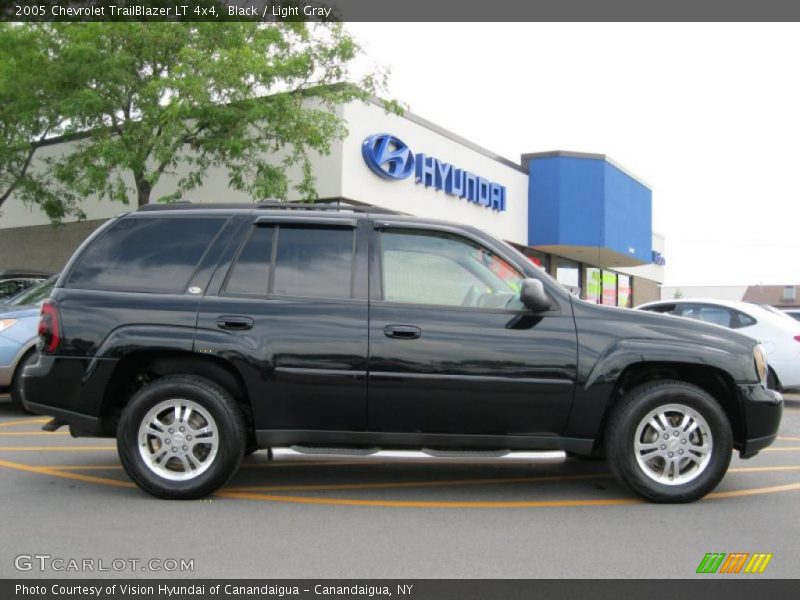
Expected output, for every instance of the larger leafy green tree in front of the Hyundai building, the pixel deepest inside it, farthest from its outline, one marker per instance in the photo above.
(156, 96)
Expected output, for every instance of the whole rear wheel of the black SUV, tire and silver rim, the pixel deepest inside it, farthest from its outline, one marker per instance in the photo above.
(181, 437)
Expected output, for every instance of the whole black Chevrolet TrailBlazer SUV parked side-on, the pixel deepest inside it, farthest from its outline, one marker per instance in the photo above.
(198, 333)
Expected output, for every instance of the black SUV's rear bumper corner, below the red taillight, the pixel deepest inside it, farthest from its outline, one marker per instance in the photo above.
(70, 389)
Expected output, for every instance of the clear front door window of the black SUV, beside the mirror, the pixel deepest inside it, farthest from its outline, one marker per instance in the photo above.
(447, 270)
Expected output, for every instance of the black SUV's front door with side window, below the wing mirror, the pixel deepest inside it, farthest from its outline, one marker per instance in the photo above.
(453, 350)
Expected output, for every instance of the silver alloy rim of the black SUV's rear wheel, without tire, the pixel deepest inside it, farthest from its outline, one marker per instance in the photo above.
(178, 439)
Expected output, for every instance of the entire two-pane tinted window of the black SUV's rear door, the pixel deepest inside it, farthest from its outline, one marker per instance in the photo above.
(295, 261)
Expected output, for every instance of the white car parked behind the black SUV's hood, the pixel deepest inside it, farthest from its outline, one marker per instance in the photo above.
(778, 333)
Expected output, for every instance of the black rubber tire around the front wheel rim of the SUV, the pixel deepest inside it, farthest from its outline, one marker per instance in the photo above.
(621, 434)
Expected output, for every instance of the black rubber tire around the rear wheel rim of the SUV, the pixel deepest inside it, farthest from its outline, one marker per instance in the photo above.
(228, 420)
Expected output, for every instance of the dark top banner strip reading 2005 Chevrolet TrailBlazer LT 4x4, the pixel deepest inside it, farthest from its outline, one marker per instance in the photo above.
(400, 10)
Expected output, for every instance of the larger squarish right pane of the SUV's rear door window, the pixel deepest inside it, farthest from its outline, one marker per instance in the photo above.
(314, 262)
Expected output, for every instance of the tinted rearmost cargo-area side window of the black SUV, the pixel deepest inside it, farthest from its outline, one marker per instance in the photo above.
(146, 255)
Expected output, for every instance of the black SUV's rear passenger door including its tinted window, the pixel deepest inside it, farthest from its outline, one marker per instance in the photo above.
(292, 315)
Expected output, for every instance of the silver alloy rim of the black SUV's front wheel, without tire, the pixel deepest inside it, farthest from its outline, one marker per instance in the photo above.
(673, 444)
